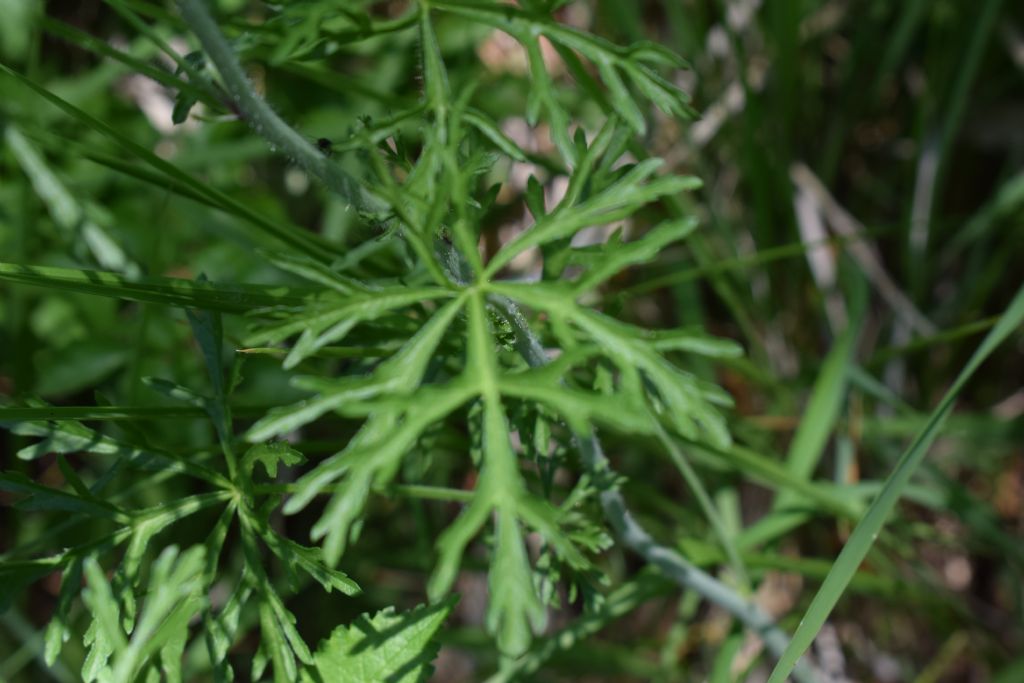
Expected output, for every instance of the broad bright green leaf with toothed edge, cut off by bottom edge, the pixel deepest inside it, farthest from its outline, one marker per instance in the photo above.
(390, 647)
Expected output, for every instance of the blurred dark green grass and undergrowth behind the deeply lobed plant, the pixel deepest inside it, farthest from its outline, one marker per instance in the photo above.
(909, 112)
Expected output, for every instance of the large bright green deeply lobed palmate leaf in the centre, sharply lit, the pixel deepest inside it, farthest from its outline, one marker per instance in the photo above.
(399, 409)
